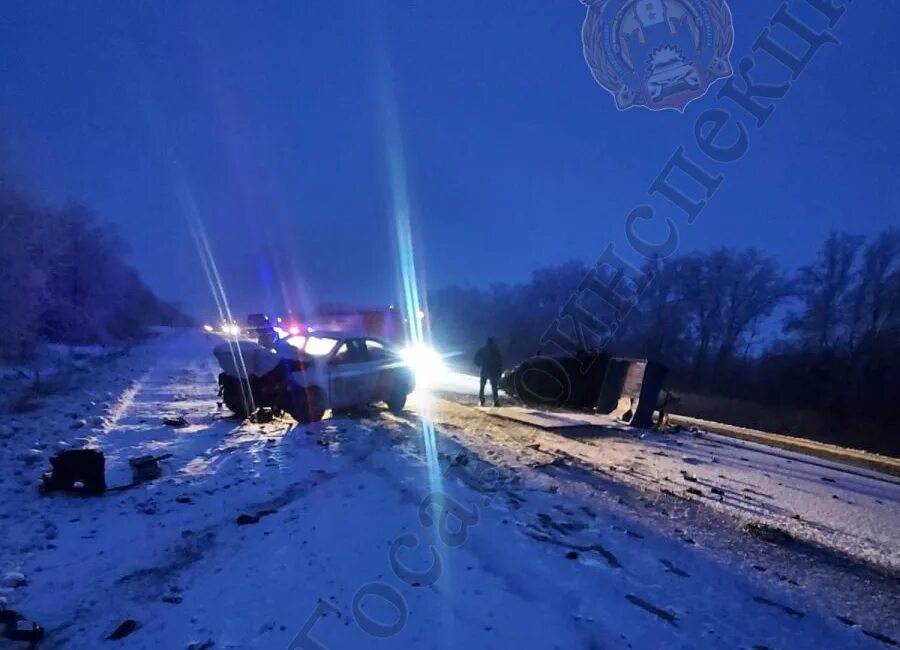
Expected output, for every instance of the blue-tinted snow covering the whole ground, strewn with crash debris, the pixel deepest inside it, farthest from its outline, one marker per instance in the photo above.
(385, 531)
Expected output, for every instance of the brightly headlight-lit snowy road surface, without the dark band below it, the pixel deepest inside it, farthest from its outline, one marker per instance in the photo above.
(843, 508)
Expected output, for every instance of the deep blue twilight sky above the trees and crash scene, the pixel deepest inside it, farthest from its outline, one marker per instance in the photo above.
(263, 119)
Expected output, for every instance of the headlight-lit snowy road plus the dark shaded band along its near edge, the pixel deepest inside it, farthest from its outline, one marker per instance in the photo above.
(734, 502)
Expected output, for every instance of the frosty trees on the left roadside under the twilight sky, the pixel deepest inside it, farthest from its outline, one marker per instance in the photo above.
(64, 279)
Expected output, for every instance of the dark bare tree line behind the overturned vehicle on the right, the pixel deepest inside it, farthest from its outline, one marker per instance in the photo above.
(727, 322)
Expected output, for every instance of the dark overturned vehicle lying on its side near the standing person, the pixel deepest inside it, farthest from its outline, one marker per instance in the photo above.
(628, 389)
